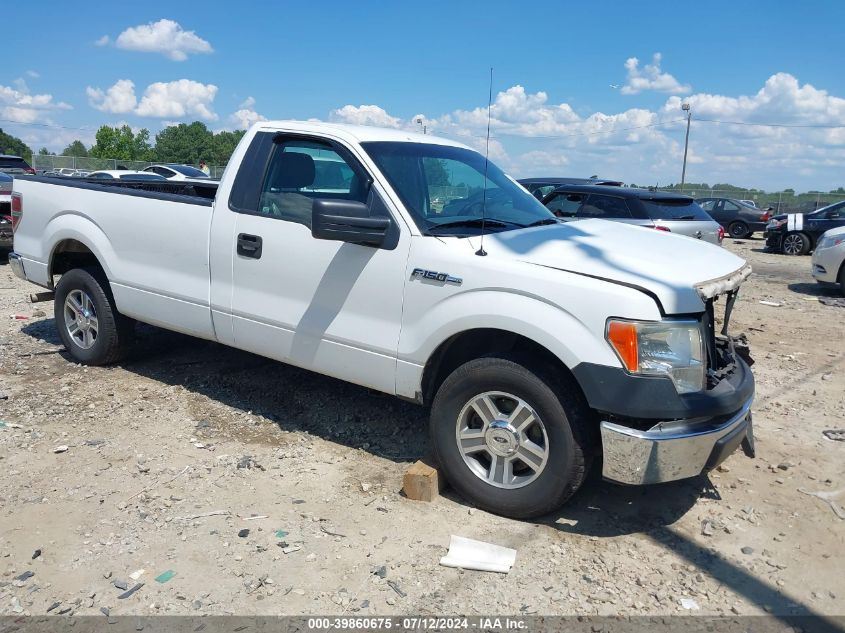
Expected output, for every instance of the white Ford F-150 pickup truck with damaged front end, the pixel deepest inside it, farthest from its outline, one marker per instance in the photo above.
(388, 259)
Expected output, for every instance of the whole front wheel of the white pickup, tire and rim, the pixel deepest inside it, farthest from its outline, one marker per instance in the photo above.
(509, 439)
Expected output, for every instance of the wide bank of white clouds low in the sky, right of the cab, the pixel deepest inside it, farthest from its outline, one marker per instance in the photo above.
(531, 136)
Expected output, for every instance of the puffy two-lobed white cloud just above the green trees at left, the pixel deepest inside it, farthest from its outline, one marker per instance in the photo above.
(174, 99)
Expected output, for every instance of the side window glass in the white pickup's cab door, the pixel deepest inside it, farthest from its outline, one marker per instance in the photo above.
(298, 171)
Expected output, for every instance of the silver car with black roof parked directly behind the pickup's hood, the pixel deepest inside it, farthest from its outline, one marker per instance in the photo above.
(663, 211)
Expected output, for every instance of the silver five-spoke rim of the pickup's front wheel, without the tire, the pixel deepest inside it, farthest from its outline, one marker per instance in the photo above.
(502, 440)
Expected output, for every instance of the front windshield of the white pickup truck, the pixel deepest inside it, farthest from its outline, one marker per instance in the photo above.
(443, 188)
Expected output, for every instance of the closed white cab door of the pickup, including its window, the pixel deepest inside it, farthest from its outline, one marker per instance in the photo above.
(329, 306)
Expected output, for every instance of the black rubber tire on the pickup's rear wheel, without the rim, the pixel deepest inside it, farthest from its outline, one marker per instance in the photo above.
(114, 331)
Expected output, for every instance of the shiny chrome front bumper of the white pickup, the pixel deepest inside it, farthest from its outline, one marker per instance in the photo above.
(673, 450)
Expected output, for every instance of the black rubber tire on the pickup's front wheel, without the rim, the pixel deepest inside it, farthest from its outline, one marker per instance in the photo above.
(565, 416)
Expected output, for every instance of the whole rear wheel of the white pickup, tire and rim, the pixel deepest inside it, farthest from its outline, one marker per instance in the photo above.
(90, 327)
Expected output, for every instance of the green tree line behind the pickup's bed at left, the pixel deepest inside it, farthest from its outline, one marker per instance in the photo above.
(183, 143)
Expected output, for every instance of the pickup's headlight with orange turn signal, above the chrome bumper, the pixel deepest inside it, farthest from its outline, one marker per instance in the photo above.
(663, 348)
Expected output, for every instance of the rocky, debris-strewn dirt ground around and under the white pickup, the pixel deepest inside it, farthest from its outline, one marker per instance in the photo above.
(265, 489)
